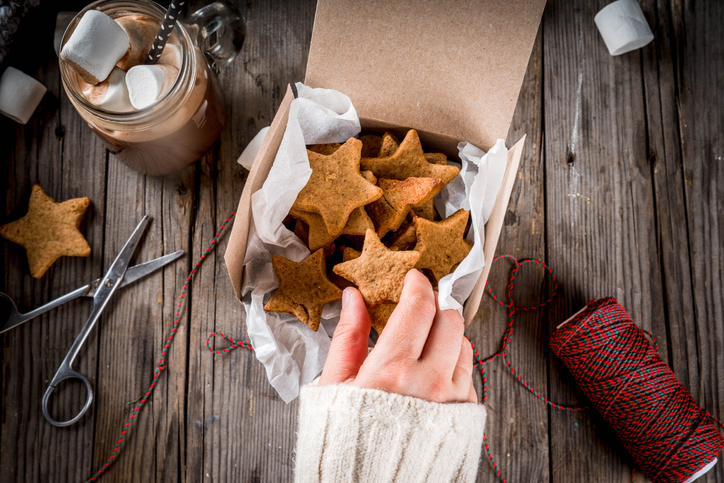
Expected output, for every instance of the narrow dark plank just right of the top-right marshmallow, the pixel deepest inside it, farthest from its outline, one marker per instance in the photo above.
(664, 153)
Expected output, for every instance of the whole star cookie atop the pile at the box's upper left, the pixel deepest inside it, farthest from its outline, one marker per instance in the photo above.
(336, 186)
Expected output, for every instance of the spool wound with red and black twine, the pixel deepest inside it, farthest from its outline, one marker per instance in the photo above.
(668, 435)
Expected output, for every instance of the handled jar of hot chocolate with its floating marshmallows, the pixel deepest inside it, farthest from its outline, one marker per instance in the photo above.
(156, 117)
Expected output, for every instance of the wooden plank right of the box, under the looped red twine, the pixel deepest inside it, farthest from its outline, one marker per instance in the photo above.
(517, 425)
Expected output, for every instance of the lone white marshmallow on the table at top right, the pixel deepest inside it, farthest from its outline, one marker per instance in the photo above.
(623, 27)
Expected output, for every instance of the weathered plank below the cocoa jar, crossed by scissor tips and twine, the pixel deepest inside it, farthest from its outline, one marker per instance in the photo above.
(136, 324)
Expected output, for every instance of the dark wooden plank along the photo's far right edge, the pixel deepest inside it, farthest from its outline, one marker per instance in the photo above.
(700, 65)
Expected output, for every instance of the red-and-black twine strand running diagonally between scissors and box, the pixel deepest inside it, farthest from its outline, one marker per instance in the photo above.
(159, 365)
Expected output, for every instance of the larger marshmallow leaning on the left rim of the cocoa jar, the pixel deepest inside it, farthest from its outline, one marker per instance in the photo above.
(97, 44)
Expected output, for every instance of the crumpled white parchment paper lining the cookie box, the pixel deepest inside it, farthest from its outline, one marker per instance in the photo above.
(292, 354)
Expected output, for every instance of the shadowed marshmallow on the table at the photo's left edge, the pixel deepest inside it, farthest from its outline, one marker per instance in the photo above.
(20, 95)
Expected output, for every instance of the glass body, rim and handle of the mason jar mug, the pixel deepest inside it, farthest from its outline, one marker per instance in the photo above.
(180, 126)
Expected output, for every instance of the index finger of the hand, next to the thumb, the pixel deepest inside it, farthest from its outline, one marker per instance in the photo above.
(409, 325)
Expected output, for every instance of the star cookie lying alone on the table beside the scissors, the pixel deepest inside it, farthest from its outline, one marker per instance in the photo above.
(49, 230)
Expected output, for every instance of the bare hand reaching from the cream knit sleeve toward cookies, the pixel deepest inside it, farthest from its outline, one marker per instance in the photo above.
(421, 353)
